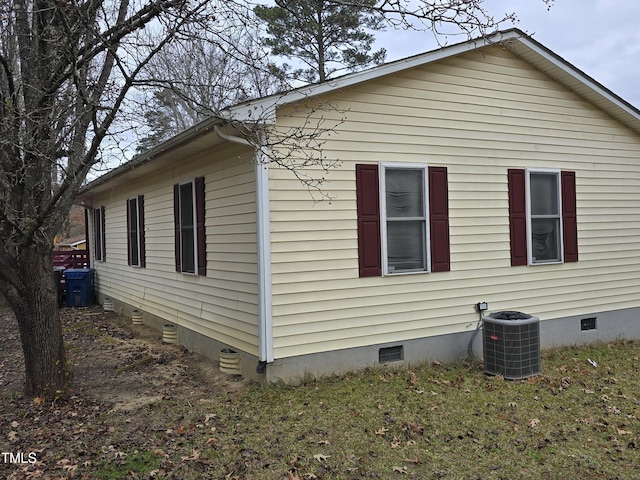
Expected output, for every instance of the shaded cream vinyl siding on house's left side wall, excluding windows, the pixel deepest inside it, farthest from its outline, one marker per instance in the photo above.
(222, 305)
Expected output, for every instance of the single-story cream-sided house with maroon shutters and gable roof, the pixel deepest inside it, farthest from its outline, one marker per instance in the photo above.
(488, 171)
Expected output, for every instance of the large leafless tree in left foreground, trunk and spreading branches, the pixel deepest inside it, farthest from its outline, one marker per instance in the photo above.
(67, 72)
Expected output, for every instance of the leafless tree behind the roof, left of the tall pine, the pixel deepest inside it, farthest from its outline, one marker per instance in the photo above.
(195, 80)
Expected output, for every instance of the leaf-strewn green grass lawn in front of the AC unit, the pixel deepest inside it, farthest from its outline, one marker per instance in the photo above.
(575, 421)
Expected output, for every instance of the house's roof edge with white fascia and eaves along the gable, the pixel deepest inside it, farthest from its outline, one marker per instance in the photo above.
(263, 110)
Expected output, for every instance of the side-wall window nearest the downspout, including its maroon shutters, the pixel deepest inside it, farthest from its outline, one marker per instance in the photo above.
(190, 241)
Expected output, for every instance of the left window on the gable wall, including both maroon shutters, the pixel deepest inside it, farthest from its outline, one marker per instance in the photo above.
(403, 219)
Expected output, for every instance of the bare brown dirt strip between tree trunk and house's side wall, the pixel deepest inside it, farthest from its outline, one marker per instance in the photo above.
(117, 364)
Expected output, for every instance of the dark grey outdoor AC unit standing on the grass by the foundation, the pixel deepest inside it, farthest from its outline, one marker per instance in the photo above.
(511, 343)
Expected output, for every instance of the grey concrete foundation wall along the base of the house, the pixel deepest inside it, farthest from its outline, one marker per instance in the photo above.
(609, 326)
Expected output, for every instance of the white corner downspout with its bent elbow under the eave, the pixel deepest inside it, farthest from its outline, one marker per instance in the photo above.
(263, 232)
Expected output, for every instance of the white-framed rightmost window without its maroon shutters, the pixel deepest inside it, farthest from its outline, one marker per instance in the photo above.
(544, 216)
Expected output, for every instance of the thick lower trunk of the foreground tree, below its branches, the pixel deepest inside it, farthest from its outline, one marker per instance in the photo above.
(48, 373)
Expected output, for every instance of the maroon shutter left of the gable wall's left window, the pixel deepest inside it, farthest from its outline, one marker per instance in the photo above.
(368, 209)
